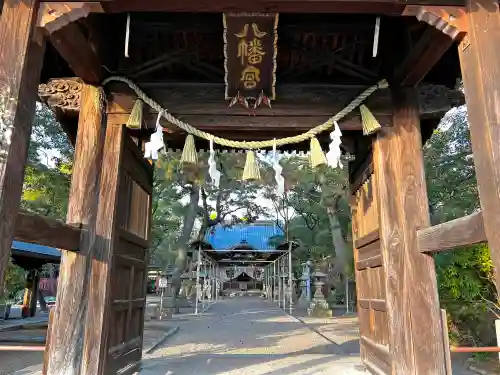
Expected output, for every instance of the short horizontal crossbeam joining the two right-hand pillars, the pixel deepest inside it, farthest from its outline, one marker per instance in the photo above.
(467, 230)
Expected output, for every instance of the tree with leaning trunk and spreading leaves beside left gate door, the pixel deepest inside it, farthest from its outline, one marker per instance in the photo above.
(176, 183)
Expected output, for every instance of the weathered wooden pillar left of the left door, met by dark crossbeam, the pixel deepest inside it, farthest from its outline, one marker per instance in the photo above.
(67, 330)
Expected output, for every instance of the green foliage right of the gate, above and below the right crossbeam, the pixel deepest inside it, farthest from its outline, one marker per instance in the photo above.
(465, 276)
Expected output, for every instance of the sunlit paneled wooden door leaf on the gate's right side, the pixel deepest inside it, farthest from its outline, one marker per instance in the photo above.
(370, 280)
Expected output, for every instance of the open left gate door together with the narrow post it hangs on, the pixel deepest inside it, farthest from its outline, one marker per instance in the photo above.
(117, 291)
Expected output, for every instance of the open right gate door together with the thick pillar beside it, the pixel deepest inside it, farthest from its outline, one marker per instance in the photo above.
(396, 280)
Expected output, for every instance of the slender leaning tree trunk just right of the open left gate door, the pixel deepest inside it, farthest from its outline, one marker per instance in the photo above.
(182, 244)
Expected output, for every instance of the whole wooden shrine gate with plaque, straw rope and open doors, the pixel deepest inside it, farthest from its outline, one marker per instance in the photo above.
(364, 81)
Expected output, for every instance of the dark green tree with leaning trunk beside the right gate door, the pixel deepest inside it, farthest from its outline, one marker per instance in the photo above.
(314, 210)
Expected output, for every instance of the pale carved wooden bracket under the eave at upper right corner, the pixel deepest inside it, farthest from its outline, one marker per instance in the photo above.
(449, 20)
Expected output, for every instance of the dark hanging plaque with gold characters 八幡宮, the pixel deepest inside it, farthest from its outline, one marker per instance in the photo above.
(250, 50)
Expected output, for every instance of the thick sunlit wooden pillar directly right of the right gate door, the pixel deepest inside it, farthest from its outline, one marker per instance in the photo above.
(411, 290)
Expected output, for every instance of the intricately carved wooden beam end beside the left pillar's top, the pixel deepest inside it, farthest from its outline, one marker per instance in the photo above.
(64, 94)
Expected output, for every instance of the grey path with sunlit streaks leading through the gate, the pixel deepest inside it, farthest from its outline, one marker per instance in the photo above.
(247, 336)
